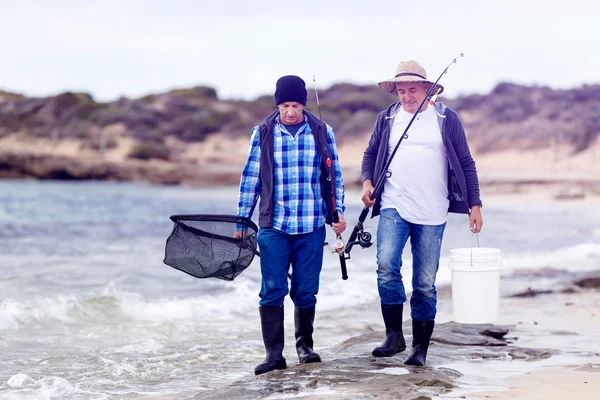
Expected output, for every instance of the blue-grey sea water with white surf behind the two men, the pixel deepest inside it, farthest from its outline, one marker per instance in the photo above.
(88, 310)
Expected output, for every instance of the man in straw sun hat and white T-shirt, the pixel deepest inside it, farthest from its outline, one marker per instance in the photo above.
(431, 174)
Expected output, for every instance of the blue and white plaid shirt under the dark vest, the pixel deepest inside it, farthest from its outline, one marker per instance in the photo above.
(298, 204)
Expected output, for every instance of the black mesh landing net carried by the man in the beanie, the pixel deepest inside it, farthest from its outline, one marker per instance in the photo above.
(203, 245)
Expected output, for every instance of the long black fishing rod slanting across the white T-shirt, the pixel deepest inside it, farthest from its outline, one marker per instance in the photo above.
(358, 235)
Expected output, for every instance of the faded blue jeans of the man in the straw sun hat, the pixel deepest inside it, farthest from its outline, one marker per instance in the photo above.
(426, 244)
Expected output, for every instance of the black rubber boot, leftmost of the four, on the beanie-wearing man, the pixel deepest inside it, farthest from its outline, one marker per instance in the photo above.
(271, 321)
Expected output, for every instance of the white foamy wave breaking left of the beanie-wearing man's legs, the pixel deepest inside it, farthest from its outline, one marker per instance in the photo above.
(114, 306)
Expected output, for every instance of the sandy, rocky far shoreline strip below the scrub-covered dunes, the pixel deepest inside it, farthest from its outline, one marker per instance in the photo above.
(556, 173)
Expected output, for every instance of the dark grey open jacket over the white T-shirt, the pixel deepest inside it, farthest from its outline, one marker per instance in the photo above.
(463, 183)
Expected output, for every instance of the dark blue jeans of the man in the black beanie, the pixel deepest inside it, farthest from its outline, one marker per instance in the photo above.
(277, 251)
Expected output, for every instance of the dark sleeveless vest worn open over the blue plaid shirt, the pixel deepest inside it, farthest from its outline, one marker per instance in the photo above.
(327, 180)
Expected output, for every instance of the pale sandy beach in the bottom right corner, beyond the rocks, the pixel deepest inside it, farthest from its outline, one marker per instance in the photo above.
(564, 321)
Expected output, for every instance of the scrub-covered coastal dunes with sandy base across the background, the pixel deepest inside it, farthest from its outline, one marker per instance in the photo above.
(191, 136)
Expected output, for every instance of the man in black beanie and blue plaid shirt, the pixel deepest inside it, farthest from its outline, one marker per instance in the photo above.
(293, 167)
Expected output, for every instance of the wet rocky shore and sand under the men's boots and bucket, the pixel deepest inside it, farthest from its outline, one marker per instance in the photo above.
(483, 352)
